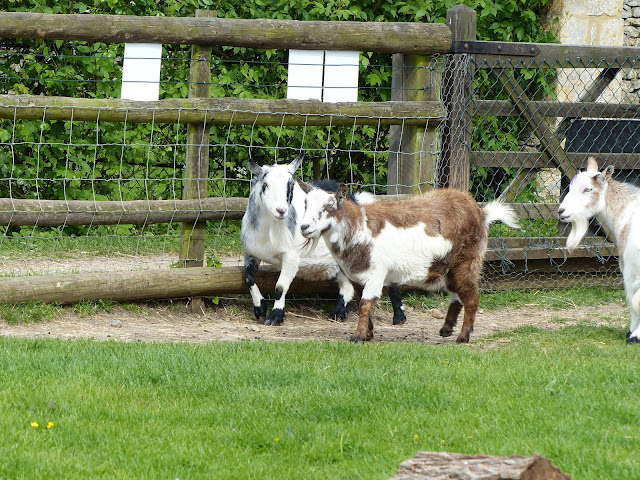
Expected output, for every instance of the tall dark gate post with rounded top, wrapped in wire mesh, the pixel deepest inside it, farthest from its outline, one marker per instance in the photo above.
(457, 92)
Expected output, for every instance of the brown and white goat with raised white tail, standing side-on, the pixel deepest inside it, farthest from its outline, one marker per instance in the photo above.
(431, 241)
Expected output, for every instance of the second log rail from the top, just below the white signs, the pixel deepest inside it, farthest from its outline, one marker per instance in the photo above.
(222, 111)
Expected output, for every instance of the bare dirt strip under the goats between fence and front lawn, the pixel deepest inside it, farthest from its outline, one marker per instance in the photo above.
(233, 320)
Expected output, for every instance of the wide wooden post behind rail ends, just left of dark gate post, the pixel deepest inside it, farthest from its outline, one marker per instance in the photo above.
(412, 150)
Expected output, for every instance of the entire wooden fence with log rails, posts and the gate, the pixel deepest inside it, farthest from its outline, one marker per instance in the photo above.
(420, 113)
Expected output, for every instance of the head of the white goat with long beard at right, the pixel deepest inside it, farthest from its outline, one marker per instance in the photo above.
(585, 199)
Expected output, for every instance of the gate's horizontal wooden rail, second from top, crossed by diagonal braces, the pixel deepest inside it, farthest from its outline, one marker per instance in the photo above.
(504, 108)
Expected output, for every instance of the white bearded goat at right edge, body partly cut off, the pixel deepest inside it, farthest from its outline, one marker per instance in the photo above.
(617, 206)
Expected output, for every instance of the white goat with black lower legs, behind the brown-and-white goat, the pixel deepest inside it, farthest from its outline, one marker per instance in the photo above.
(270, 233)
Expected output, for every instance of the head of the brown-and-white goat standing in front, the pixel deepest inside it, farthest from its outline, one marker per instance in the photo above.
(320, 210)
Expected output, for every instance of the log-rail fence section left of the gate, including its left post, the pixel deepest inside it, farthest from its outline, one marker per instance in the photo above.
(412, 41)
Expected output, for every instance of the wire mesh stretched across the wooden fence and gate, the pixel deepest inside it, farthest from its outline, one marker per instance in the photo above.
(524, 124)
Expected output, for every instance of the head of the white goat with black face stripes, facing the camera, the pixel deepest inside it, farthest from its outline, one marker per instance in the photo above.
(273, 185)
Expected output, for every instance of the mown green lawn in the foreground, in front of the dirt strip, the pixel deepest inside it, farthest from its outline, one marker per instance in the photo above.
(317, 409)
